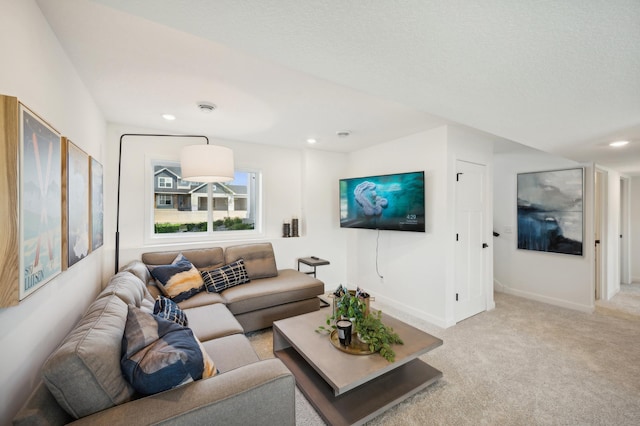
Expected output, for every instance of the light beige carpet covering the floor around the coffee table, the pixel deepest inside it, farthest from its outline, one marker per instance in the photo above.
(523, 363)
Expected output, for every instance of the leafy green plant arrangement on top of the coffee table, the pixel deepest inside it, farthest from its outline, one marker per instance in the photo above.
(353, 305)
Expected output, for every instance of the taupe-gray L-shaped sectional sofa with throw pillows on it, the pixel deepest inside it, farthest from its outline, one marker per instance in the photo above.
(83, 382)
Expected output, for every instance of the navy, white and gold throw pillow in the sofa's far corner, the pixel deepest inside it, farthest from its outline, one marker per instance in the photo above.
(179, 280)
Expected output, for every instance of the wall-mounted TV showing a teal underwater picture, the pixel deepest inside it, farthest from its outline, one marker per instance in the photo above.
(390, 202)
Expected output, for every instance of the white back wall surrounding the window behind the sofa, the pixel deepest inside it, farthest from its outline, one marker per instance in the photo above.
(300, 183)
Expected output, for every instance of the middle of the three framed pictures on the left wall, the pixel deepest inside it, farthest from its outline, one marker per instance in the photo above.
(77, 200)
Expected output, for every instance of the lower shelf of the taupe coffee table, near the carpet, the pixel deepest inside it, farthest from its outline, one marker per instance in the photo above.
(367, 400)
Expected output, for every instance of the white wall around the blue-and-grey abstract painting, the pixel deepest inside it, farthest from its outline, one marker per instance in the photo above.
(563, 280)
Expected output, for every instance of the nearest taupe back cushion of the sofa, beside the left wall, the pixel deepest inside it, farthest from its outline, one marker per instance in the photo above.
(84, 374)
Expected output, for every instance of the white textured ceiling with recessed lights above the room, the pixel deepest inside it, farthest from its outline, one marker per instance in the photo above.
(561, 76)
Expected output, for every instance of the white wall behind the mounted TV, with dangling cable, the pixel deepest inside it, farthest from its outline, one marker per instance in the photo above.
(413, 264)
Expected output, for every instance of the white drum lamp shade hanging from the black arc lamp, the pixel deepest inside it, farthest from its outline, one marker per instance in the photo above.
(206, 163)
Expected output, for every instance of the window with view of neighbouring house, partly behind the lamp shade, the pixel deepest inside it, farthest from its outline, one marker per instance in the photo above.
(201, 208)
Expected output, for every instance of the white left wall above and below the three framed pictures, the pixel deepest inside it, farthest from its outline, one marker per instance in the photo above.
(36, 70)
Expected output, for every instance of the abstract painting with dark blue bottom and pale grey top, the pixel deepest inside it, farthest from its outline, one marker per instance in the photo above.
(550, 211)
